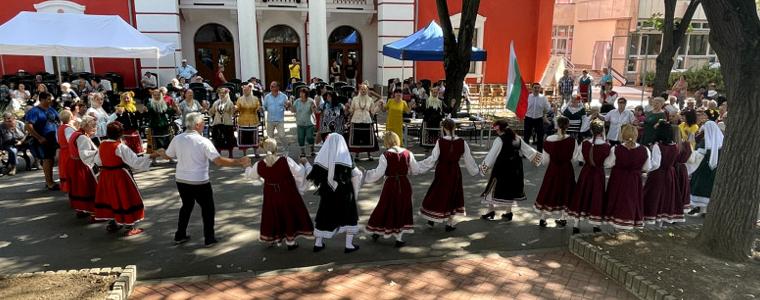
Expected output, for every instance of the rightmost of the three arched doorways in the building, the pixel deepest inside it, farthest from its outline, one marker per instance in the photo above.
(345, 43)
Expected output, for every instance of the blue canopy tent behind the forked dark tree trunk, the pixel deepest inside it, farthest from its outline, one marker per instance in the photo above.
(424, 45)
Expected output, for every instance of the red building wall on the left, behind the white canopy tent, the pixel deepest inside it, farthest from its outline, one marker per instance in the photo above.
(34, 64)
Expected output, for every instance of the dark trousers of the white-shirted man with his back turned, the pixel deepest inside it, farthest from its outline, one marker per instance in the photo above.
(190, 194)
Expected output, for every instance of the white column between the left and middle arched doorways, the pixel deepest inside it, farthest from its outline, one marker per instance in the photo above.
(248, 37)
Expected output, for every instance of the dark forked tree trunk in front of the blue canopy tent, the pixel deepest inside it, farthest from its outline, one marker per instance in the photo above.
(457, 49)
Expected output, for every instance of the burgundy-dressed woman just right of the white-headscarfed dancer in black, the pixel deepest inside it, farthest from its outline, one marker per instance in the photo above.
(393, 214)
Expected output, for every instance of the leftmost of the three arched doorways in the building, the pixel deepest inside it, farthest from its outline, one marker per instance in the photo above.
(214, 46)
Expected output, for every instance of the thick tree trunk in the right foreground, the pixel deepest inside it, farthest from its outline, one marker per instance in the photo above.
(735, 35)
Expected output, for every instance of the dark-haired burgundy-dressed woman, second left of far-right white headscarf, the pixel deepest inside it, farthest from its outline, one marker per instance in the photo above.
(660, 193)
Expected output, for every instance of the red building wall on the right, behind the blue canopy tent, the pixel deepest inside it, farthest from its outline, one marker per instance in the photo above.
(527, 22)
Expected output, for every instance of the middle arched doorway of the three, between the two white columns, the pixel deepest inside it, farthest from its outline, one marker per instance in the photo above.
(281, 45)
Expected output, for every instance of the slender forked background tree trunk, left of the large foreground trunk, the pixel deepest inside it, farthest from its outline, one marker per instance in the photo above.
(673, 35)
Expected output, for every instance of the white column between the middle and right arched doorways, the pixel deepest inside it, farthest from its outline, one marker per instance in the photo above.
(318, 39)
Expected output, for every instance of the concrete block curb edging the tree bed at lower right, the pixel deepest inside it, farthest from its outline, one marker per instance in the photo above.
(624, 274)
